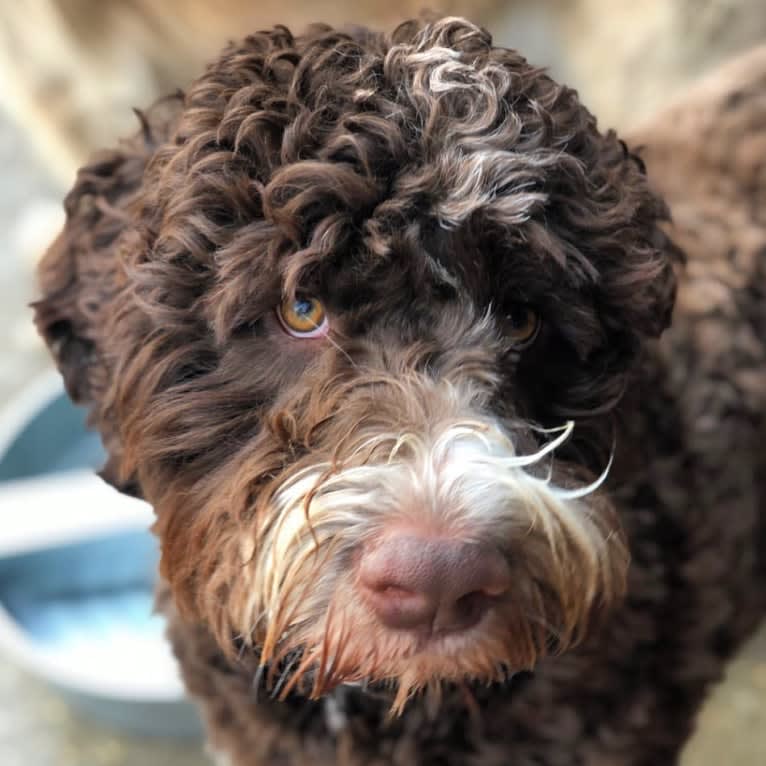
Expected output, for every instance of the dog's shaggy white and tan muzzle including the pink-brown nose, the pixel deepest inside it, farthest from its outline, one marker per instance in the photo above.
(436, 553)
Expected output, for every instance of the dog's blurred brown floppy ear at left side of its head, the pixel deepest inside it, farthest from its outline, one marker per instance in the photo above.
(80, 274)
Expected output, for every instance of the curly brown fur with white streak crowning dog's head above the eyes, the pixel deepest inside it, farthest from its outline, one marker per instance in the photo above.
(387, 167)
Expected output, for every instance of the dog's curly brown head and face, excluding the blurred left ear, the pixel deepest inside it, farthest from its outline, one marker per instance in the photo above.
(374, 305)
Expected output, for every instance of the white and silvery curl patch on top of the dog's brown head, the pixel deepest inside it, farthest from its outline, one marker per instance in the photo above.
(464, 101)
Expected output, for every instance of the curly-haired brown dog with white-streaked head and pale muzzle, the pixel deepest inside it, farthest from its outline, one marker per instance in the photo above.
(370, 321)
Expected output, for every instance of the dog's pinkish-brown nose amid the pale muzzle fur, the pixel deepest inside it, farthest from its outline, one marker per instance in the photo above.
(431, 584)
